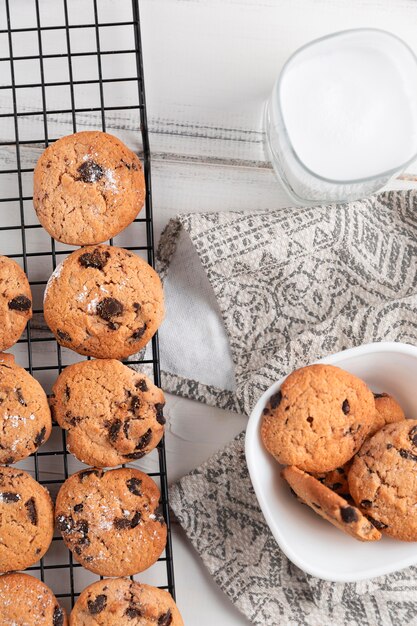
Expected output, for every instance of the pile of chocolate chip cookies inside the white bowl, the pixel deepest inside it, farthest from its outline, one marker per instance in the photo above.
(350, 454)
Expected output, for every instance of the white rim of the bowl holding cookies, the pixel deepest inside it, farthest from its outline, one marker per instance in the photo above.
(250, 448)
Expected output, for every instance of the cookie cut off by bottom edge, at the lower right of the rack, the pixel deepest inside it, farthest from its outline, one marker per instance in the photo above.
(123, 602)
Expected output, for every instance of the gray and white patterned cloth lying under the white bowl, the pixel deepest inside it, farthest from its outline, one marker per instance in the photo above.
(292, 285)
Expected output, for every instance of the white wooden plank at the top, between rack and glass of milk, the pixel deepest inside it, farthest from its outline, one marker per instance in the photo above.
(211, 65)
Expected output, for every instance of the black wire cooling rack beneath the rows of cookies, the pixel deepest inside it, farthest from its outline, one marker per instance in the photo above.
(65, 66)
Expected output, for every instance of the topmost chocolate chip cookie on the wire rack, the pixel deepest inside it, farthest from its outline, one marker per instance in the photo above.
(87, 188)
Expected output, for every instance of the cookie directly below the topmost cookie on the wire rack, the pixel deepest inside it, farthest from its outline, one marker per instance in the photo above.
(104, 301)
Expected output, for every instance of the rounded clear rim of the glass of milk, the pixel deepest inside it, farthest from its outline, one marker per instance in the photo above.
(386, 173)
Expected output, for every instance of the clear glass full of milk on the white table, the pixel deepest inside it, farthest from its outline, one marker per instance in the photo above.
(342, 118)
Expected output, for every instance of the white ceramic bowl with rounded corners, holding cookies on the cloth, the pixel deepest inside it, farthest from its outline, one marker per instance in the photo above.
(310, 542)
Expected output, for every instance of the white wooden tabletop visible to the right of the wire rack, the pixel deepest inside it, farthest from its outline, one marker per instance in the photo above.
(209, 67)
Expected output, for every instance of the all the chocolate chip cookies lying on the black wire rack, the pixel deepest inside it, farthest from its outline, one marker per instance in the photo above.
(103, 302)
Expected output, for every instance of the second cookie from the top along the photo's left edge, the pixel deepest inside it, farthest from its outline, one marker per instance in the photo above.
(25, 418)
